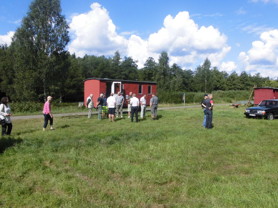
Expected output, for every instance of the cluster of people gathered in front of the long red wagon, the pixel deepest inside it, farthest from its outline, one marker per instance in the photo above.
(115, 105)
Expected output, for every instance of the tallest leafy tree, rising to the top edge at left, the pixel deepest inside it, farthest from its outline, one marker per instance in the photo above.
(42, 35)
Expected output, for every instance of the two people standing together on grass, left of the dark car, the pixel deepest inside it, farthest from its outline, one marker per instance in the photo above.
(207, 105)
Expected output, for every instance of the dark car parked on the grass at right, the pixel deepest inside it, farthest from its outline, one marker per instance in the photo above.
(266, 109)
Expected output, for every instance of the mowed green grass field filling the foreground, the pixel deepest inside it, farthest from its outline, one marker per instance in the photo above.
(170, 162)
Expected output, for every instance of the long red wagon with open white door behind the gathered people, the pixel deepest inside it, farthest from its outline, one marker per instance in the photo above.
(96, 86)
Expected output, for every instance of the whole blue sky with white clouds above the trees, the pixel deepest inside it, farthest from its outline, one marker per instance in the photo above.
(235, 35)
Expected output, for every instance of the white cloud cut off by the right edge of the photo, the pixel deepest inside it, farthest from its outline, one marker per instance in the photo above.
(263, 56)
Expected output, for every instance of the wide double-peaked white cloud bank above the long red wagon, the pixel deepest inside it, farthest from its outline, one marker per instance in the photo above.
(186, 43)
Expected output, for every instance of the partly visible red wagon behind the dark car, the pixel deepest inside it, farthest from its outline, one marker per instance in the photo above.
(263, 93)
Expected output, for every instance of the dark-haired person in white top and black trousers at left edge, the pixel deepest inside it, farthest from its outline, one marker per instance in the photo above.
(5, 116)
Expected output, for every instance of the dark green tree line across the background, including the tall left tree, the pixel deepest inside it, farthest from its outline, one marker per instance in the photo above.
(37, 64)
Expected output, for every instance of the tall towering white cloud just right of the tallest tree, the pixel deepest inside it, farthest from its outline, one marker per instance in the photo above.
(94, 33)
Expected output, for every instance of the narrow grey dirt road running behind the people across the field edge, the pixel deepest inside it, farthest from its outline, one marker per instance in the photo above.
(94, 113)
